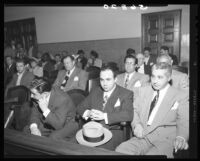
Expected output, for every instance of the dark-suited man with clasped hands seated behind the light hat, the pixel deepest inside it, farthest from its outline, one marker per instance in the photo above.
(109, 104)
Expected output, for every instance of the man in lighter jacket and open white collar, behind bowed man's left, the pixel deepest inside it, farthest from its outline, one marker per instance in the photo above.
(22, 77)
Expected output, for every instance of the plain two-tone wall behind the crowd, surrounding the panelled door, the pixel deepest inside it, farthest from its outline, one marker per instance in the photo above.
(101, 29)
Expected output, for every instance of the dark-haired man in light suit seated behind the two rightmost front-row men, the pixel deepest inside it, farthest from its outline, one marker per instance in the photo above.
(132, 79)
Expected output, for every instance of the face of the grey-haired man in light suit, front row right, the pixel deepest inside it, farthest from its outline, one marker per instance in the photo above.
(159, 78)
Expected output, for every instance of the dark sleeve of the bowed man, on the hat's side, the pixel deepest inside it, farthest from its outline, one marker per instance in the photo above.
(63, 112)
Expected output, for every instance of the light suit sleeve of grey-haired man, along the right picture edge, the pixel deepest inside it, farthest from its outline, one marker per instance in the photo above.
(183, 118)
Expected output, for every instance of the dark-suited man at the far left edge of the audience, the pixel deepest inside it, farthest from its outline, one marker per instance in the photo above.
(10, 69)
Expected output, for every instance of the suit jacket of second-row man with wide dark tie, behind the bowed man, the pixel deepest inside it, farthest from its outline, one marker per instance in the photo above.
(77, 80)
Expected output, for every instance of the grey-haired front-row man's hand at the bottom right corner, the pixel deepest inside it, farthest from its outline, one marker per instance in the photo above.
(180, 143)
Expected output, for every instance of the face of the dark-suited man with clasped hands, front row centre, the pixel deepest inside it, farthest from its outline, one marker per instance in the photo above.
(107, 80)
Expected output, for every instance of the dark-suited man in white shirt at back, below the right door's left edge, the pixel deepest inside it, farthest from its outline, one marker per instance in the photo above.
(149, 60)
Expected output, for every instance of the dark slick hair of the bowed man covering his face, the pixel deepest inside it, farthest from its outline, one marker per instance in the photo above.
(41, 85)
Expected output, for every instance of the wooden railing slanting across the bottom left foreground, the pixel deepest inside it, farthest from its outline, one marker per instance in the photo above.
(18, 143)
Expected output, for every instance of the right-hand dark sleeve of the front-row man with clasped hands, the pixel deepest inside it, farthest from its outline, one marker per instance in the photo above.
(125, 113)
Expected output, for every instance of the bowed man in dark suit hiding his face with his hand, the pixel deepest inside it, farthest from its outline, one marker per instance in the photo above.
(53, 112)
